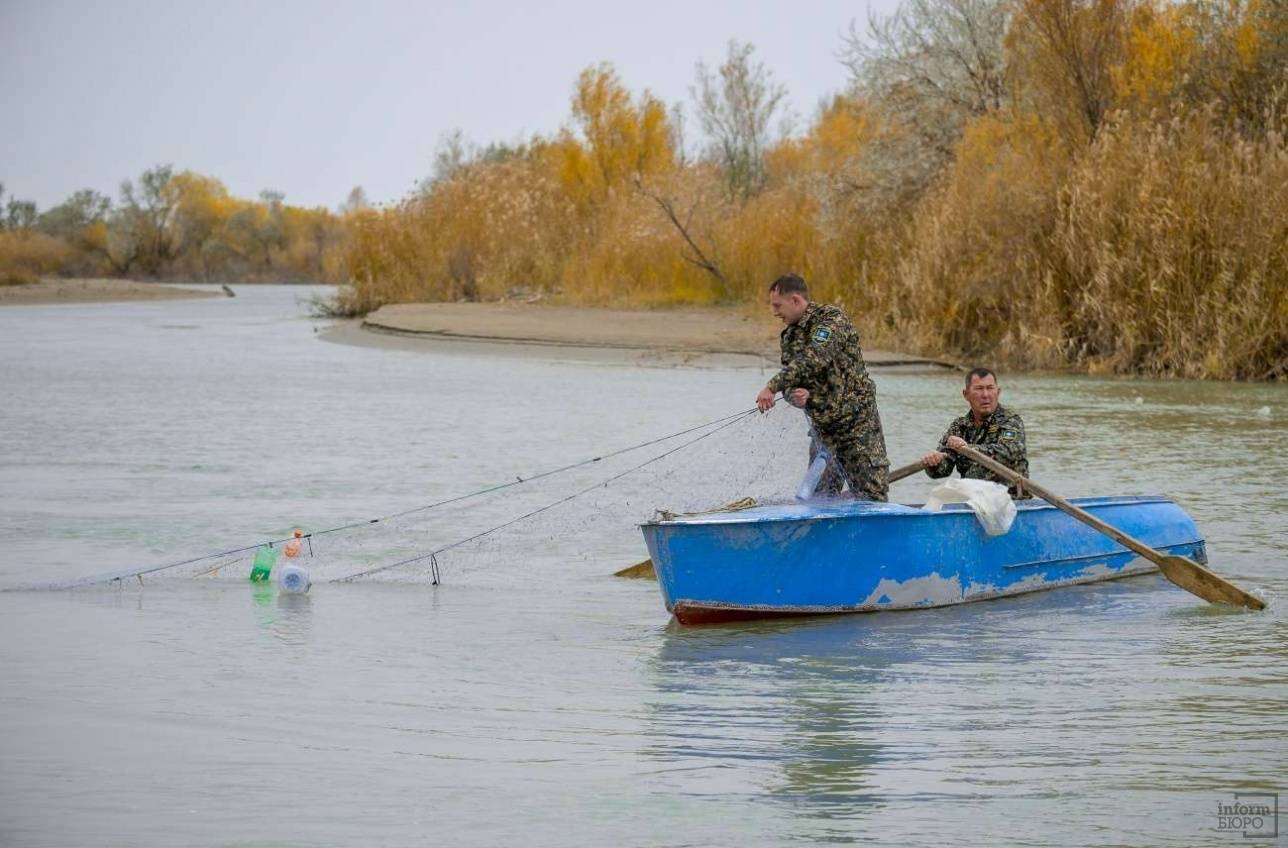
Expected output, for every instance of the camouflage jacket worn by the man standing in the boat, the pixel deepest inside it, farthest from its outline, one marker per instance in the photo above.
(821, 354)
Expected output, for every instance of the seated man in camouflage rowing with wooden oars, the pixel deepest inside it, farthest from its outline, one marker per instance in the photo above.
(990, 429)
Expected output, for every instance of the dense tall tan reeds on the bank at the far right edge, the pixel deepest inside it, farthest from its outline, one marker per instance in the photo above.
(1173, 252)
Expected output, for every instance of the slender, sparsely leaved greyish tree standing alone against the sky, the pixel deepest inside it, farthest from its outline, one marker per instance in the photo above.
(737, 108)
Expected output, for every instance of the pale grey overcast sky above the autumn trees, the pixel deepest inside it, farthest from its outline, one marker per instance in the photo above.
(314, 99)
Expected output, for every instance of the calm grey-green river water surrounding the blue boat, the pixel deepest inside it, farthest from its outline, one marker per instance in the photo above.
(533, 699)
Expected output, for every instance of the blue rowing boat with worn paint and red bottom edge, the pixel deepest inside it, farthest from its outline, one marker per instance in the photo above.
(811, 559)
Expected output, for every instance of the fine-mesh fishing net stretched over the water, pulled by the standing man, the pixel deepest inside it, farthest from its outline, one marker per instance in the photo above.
(579, 521)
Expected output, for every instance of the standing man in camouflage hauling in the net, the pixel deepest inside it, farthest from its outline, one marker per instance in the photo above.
(825, 374)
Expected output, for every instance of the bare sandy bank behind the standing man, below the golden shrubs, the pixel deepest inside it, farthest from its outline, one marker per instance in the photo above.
(708, 337)
